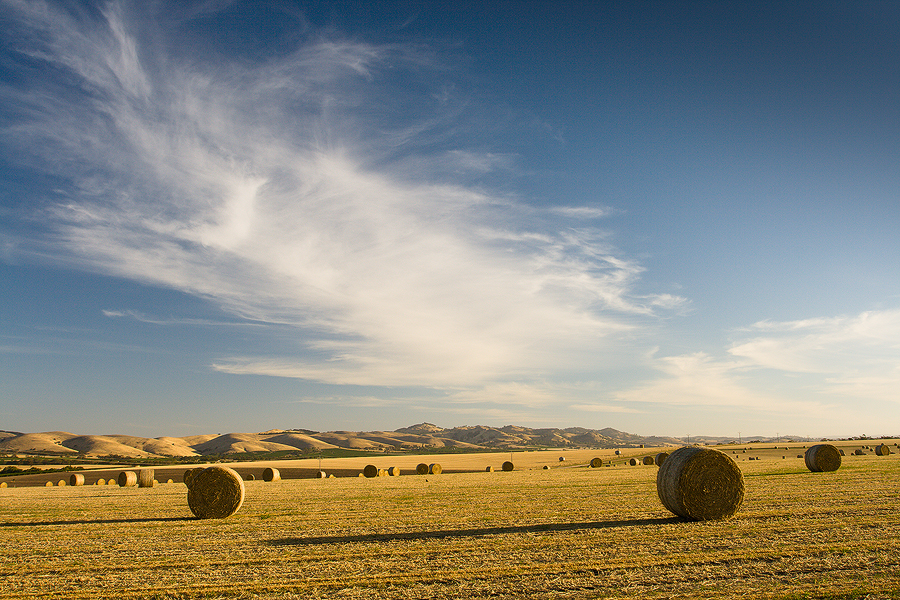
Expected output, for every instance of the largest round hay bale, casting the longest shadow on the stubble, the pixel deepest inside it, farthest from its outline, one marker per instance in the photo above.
(700, 484)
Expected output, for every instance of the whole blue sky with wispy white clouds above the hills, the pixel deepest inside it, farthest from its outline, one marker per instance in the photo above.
(669, 218)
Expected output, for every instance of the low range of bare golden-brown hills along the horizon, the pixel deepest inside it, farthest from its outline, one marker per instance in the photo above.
(422, 436)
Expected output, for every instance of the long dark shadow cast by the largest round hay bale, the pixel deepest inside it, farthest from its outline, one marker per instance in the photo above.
(453, 533)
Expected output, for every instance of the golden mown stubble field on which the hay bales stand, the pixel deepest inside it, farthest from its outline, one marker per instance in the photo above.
(567, 531)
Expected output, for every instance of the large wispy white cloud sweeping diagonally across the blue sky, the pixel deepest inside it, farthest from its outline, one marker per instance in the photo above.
(284, 191)
